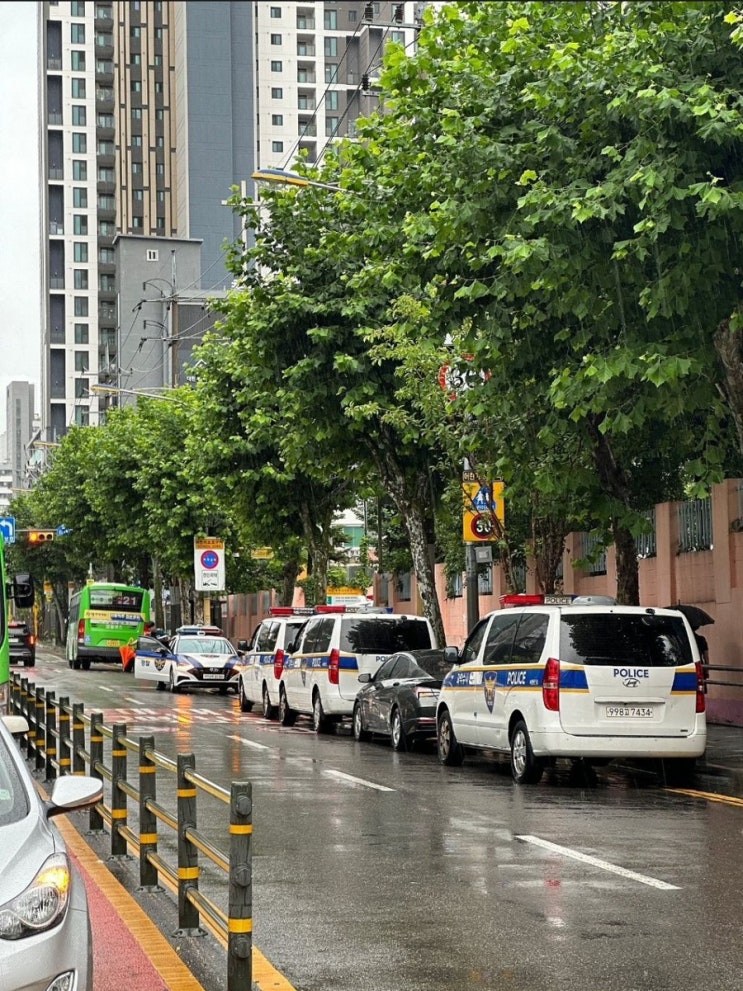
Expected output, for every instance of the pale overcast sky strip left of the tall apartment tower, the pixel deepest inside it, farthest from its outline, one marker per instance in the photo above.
(20, 341)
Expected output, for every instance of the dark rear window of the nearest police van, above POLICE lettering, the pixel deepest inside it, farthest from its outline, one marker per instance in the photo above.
(613, 638)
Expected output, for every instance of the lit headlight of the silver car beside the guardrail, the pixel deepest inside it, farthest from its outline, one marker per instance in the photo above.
(42, 904)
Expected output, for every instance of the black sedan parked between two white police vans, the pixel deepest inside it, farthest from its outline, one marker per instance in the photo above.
(399, 701)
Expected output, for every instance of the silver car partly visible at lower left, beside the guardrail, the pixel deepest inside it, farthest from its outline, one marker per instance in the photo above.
(45, 936)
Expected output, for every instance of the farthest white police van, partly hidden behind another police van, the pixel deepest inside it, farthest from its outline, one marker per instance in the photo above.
(264, 659)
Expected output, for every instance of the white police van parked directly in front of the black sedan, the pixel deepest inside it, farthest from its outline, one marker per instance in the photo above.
(320, 676)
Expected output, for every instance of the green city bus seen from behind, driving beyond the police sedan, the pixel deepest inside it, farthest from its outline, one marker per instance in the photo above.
(102, 618)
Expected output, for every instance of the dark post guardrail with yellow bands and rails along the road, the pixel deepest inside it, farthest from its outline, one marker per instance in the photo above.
(56, 744)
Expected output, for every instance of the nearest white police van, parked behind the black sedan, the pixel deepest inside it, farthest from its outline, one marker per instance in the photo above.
(555, 677)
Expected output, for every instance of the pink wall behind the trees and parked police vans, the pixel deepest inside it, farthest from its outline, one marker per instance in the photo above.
(712, 579)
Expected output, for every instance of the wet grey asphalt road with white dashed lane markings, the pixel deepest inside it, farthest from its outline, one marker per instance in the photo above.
(375, 871)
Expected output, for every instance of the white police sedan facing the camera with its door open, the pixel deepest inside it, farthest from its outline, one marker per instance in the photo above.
(189, 661)
